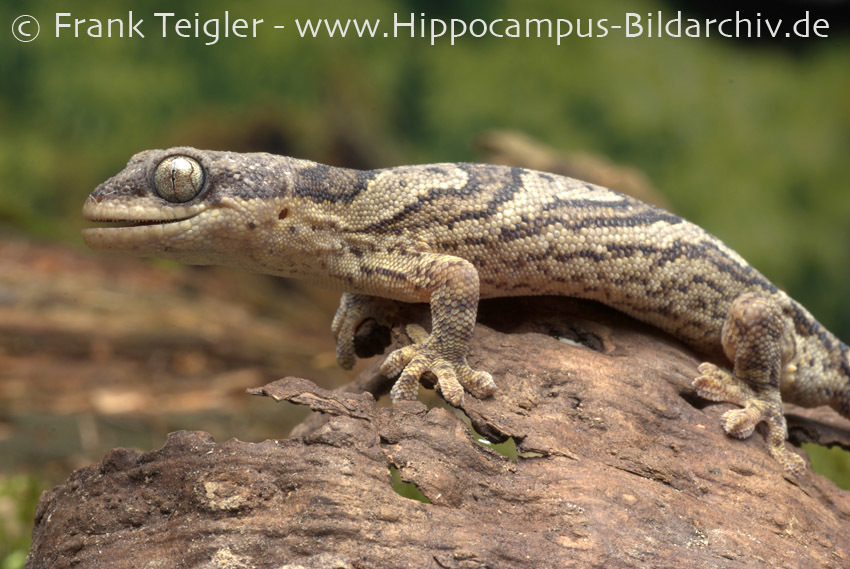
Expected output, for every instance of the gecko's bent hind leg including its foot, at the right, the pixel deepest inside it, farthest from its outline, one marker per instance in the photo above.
(757, 340)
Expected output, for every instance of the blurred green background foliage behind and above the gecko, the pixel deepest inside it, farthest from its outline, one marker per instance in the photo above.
(750, 139)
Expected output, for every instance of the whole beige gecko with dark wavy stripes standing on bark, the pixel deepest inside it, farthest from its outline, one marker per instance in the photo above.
(449, 234)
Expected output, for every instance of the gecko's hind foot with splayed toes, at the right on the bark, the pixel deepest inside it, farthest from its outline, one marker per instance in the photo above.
(716, 384)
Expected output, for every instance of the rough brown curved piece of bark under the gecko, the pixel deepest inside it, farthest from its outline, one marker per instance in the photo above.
(619, 465)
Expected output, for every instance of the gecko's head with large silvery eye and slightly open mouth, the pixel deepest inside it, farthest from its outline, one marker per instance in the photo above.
(186, 204)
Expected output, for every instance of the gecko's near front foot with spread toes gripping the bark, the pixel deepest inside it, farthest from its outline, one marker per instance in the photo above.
(453, 376)
